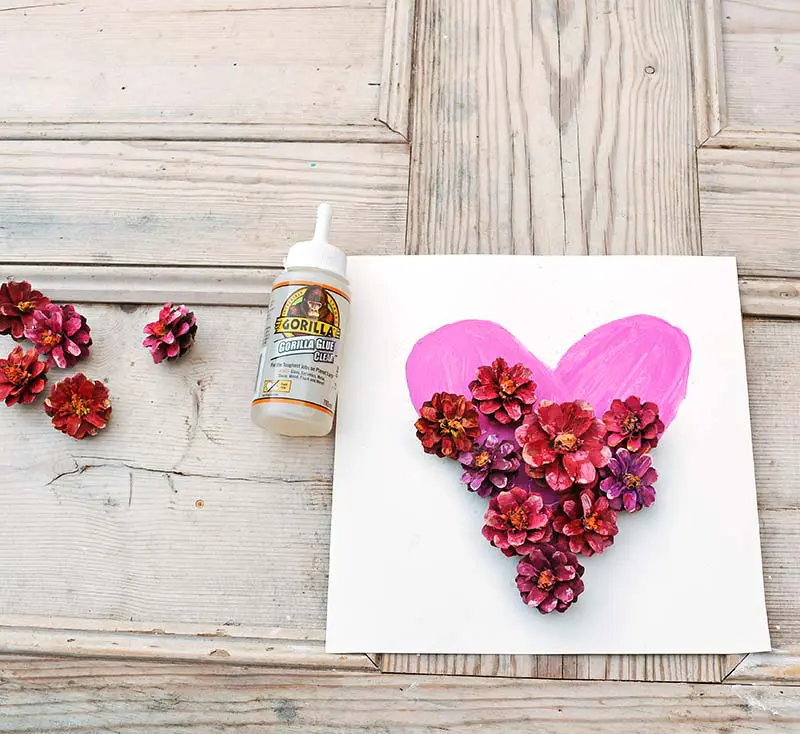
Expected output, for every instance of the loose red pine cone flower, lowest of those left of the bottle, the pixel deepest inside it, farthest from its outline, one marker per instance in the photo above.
(78, 406)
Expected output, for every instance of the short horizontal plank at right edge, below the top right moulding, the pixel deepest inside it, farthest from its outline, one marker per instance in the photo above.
(750, 207)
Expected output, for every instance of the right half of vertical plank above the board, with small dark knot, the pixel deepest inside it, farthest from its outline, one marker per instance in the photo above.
(628, 165)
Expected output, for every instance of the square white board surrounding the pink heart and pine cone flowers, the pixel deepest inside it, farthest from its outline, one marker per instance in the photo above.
(410, 571)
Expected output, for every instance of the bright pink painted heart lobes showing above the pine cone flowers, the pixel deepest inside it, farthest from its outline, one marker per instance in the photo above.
(638, 355)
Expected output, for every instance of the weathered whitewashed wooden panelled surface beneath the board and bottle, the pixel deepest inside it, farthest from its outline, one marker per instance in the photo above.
(171, 573)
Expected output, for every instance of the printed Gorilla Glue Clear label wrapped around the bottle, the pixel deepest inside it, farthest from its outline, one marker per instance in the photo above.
(299, 360)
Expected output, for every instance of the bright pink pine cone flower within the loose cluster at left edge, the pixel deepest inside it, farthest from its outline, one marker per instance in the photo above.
(60, 334)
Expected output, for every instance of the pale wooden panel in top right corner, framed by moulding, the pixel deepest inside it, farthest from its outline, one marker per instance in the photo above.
(761, 40)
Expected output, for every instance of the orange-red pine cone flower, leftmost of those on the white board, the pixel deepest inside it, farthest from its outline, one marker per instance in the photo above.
(447, 425)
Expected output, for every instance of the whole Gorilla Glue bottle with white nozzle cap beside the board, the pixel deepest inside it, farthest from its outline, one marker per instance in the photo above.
(298, 370)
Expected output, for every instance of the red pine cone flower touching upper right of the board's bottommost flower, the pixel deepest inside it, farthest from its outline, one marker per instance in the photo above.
(587, 521)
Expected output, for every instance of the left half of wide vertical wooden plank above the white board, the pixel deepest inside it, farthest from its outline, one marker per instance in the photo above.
(486, 166)
